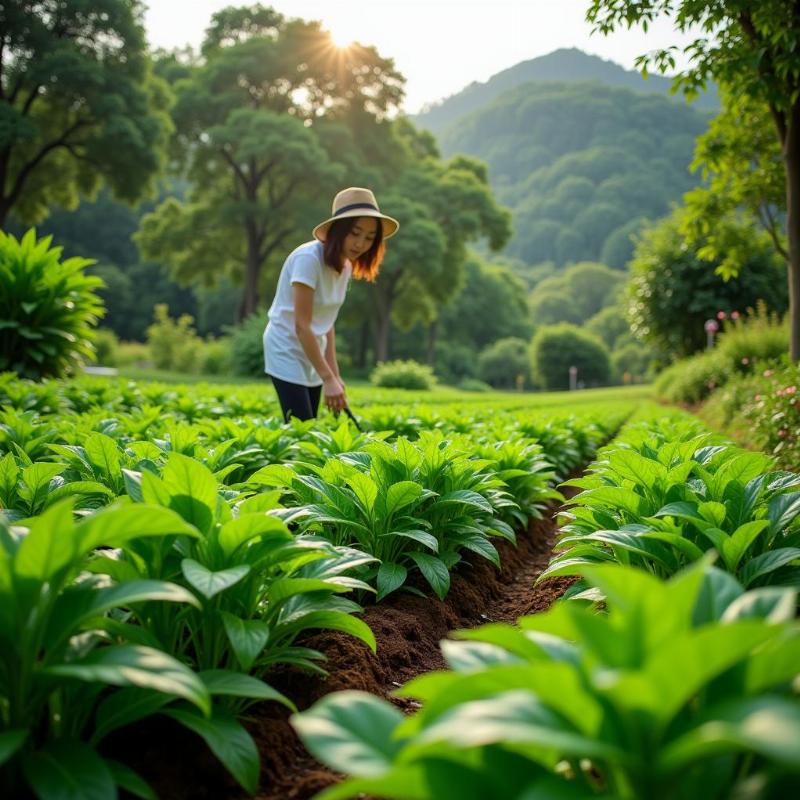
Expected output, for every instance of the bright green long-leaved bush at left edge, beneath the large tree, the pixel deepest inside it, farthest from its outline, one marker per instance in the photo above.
(49, 308)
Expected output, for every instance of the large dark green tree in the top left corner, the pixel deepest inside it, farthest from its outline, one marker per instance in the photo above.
(78, 105)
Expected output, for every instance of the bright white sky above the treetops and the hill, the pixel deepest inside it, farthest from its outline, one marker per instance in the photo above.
(440, 46)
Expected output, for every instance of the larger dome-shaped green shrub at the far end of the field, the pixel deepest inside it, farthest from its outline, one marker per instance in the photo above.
(556, 348)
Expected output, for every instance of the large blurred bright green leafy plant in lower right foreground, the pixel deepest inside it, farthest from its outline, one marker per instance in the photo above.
(682, 689)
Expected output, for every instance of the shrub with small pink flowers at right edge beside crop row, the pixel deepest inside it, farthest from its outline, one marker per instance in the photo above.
(774, 414)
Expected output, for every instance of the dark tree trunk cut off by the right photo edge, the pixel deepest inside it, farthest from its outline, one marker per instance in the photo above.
(792, 162)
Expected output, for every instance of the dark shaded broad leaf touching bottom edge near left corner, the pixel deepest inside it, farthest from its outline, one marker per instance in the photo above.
(69, 770)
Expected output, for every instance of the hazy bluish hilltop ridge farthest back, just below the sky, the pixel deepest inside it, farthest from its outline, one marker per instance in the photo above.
(560, 65)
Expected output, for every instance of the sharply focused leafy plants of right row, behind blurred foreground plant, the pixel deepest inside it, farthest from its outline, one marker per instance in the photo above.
(667, 494)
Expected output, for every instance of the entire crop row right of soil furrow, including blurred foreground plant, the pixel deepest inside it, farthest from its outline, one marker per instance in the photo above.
(670, 670)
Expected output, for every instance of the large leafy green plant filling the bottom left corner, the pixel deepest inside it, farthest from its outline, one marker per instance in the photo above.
(59, 659)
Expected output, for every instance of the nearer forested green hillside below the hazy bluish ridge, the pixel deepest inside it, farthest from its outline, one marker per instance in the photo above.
(581, 165)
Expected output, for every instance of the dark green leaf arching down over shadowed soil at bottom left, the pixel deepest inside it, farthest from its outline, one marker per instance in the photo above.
(228, 740)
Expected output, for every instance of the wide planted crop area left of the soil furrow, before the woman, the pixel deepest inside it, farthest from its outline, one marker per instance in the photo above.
(163, 550)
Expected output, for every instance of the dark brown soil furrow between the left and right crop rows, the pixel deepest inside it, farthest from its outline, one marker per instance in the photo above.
(408, 630)
